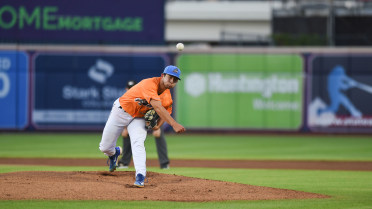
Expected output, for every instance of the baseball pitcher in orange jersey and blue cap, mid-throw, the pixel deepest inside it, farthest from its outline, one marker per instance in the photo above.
(129, 111)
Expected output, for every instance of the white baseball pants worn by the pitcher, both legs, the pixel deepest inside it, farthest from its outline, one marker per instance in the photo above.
(115, 124)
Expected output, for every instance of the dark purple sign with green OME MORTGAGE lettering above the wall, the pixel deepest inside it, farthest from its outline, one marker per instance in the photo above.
(82, 21)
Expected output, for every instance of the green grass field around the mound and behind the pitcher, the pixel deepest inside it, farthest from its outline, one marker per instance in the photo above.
(349, 189)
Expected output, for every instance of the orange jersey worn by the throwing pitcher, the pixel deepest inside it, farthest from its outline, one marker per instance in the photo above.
(136, 101)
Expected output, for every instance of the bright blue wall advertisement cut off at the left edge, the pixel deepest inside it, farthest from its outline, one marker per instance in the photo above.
(13, 89)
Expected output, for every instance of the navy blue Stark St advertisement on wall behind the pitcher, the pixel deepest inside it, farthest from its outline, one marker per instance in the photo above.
(78, 90)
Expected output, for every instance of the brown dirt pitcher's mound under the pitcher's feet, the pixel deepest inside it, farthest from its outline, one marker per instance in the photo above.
(119, 186)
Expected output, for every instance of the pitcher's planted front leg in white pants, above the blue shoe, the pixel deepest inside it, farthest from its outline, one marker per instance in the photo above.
(137, 134)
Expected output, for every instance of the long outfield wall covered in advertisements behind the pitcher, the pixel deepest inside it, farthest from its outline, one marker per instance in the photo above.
(250, 89)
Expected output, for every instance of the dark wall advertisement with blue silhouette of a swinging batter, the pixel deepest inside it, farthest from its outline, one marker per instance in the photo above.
(340, 93)
